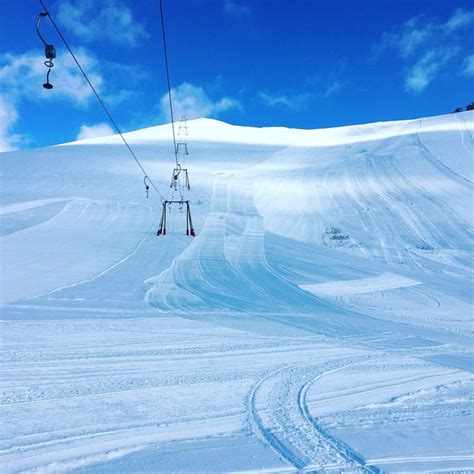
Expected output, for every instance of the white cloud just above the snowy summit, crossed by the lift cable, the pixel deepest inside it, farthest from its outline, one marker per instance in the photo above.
(193, 102)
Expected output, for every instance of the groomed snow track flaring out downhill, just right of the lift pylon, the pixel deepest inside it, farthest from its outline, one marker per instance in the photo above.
(225, 266)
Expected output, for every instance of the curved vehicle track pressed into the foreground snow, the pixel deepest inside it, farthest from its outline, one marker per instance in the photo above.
(279, 416)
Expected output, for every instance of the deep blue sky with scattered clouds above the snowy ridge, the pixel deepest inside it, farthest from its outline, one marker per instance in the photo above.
(300, 63)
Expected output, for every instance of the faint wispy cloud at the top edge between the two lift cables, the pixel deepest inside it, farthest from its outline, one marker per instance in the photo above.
(112, 21)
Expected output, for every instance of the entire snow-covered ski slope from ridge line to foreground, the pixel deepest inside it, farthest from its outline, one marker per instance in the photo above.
(321, 319)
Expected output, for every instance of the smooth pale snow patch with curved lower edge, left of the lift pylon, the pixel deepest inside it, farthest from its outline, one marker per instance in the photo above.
(84, 241)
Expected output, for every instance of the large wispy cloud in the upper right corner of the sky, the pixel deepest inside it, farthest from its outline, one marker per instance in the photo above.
(426, 46)
